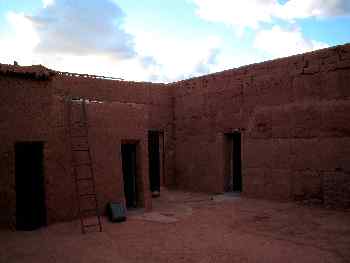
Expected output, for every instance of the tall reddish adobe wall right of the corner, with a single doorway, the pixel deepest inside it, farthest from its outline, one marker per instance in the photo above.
(294, 115)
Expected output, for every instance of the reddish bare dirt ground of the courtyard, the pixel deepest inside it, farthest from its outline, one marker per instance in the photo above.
(188, 227)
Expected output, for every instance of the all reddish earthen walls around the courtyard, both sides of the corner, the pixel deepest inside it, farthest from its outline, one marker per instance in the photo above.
(293, 114)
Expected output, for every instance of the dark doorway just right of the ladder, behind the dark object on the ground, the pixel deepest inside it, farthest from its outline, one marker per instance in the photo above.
(129, 166)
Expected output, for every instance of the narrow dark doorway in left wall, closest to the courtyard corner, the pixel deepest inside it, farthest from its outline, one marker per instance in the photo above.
(154, 162)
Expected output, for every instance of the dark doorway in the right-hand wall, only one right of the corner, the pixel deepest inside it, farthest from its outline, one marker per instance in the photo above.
(233, 178)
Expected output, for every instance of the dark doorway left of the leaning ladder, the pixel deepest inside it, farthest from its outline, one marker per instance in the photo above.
(30, 192)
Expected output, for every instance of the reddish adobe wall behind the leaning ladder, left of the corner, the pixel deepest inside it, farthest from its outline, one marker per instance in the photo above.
(35, 110)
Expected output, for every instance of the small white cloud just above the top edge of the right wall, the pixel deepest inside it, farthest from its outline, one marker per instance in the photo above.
(278, 42)
